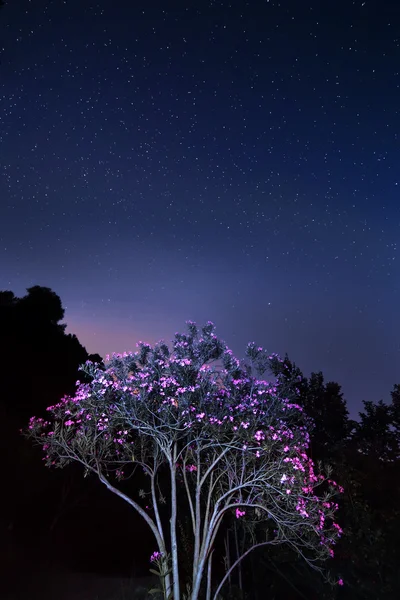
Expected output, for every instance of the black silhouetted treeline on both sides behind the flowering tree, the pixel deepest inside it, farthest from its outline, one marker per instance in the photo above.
(59, 519)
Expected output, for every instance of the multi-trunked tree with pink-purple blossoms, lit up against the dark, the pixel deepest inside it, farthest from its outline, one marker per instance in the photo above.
(232, 444)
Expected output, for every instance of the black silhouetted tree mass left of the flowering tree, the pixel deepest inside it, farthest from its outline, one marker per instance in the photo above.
(56, 514)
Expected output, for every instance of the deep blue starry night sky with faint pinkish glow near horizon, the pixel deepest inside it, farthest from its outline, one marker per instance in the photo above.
(240, 162)
